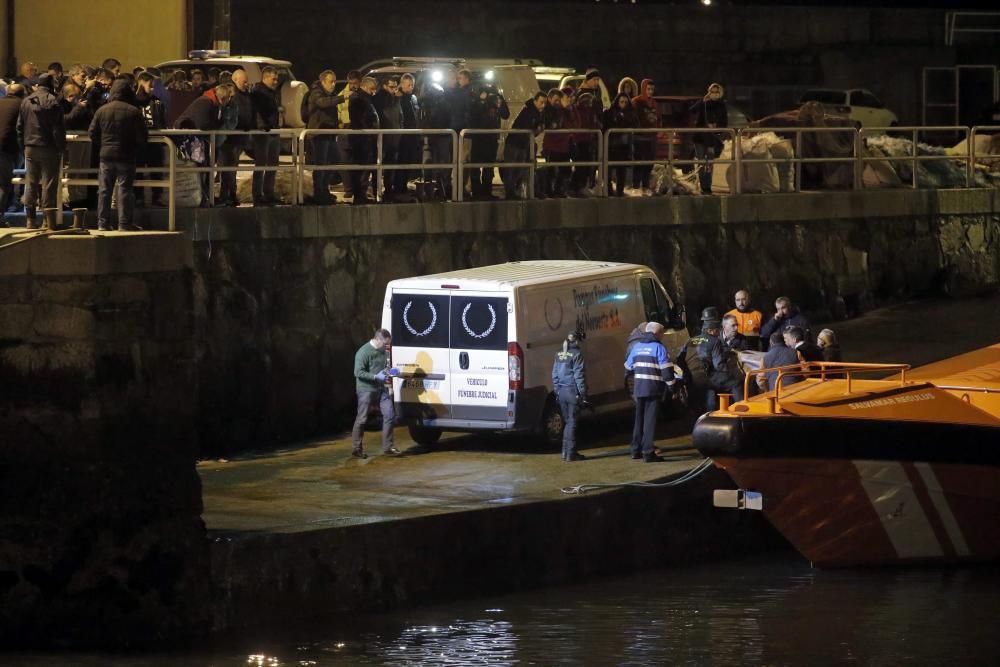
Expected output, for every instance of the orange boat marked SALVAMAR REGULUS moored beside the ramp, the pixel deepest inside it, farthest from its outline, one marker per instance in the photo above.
(855, 471)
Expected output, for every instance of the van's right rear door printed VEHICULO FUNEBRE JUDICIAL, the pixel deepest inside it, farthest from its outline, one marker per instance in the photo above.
(479, 375)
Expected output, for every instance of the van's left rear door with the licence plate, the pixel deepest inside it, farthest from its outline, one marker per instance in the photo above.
(420, 349)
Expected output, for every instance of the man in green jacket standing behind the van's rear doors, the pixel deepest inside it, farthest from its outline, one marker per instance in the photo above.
(370, 371)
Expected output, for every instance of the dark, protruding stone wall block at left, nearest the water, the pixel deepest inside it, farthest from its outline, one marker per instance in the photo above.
(101, 540)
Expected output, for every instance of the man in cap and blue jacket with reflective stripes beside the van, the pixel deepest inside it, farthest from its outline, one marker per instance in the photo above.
(649, 366)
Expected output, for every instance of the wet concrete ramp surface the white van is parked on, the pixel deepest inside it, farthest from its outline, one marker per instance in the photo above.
(318, 485)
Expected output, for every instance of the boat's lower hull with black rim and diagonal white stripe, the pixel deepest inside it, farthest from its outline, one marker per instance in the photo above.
(860, 492)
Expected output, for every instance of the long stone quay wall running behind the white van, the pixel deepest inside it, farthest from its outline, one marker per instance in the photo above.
(283, 298)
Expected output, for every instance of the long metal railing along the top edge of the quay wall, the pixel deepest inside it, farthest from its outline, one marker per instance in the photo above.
(297, 165)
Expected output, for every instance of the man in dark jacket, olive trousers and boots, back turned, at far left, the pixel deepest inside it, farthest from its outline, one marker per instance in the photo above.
(41, 129)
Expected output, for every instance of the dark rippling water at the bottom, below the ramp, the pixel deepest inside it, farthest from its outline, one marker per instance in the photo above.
(774, 611)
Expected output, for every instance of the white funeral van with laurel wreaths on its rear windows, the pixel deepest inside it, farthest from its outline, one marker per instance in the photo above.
(474, 348)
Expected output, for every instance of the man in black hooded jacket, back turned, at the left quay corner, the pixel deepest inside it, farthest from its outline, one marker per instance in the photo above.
(118, 131)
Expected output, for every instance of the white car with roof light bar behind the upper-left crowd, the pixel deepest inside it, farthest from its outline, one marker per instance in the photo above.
(292, 90)
